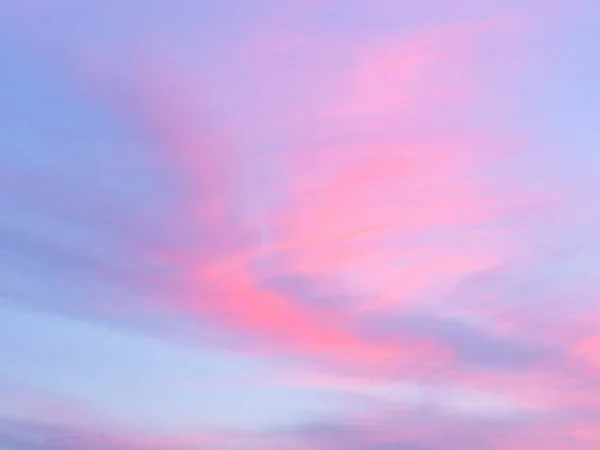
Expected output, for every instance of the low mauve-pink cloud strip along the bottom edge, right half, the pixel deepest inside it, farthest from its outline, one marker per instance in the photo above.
(429, 428)
